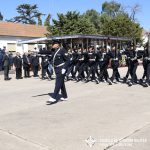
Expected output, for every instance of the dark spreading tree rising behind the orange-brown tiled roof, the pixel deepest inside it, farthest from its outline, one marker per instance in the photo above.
(28, 14)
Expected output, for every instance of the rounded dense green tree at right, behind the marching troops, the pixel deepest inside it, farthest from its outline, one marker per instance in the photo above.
(122, 26)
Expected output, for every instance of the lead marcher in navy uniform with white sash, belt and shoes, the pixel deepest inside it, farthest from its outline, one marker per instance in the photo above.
(60, 64)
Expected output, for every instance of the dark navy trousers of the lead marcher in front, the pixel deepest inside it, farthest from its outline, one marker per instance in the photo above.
(60, 85)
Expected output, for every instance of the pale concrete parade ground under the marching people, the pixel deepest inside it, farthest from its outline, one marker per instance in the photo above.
(95, 116)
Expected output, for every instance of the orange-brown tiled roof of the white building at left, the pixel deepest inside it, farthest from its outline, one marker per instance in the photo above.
(21, 30)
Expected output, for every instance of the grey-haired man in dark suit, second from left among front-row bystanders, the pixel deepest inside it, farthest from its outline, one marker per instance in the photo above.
(18, 65)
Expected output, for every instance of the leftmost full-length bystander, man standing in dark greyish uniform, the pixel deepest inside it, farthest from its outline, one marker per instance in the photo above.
(6, 64)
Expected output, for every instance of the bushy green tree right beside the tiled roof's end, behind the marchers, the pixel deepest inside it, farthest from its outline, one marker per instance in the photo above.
(72, 23)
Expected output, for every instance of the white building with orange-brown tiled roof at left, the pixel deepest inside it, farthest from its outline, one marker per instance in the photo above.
(12, 33)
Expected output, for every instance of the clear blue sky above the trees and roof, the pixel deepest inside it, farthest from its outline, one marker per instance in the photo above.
(8, 7)
